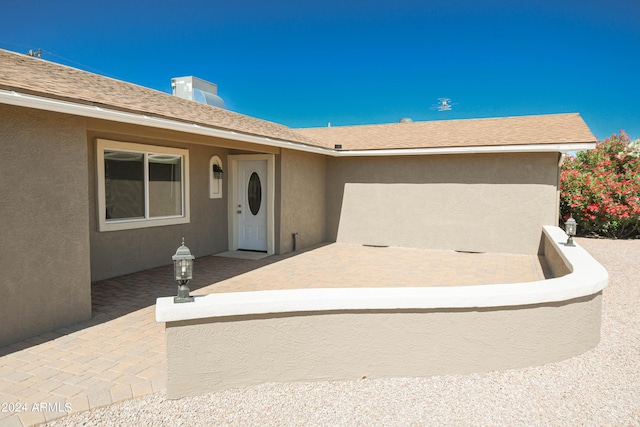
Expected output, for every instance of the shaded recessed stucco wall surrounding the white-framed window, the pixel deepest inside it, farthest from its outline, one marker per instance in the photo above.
(114, 253)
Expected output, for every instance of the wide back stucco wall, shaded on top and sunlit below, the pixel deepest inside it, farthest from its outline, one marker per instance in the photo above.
(474, 202)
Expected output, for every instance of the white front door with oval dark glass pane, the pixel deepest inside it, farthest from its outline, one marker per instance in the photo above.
(252, 205)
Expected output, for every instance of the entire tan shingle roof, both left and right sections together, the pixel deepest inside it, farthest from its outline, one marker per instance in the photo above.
(24, 74)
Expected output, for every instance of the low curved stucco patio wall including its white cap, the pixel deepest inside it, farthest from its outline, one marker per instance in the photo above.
(241, 339)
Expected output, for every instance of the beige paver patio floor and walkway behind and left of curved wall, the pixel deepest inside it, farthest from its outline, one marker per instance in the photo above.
(120, 353)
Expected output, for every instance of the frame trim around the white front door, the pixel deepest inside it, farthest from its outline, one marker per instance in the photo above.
(233, 198)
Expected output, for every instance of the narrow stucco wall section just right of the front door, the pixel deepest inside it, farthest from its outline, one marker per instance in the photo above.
(300, 200)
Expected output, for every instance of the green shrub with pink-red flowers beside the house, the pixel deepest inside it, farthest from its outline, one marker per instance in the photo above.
(601, 189)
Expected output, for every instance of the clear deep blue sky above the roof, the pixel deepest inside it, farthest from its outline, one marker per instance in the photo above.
(352, 62)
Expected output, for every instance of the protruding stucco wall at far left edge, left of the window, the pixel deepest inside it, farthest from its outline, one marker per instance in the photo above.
(45, 279)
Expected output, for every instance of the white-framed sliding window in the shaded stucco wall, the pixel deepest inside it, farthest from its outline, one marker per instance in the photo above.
(141, 185)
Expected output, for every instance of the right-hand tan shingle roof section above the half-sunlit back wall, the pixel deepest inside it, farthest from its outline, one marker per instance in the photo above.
(523, 130)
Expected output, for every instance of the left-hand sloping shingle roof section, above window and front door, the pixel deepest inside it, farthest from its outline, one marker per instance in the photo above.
(24, 74)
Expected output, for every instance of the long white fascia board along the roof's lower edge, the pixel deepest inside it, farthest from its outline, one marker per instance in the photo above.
(59, 106)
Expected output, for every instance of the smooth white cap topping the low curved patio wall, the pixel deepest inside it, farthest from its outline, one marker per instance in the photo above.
(587, 277)
